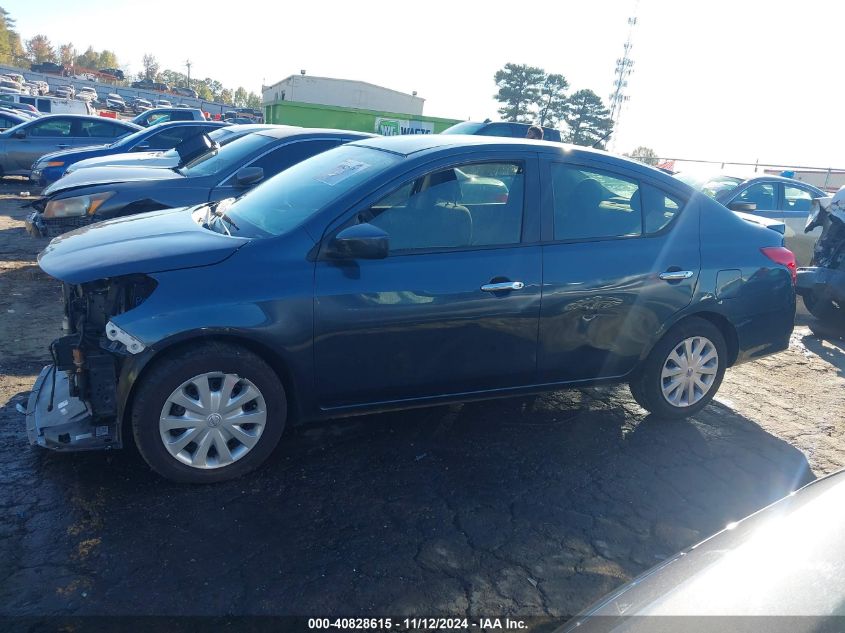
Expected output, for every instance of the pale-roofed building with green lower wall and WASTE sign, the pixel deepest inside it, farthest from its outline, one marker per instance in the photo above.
(347, 105)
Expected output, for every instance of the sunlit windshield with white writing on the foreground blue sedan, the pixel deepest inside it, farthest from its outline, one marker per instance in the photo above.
(294, 195)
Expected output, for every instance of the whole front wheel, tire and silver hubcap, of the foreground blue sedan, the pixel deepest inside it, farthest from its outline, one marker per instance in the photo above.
(211, 413)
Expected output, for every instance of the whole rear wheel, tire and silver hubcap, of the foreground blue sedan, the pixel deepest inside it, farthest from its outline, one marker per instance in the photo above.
(683, 371)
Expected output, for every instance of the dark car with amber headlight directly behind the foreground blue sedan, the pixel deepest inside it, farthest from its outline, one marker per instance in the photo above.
(91, 195)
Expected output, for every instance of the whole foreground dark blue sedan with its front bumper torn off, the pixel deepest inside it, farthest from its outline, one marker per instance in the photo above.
(373, 277)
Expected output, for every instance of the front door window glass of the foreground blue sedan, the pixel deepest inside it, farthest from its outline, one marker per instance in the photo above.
(472, 205)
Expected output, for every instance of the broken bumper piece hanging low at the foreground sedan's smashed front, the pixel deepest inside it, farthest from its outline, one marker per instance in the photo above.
(67, 425)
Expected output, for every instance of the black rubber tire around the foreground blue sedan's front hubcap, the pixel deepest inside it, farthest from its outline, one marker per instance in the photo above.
(175, 369)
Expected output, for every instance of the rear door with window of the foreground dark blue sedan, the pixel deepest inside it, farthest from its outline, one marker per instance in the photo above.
(620, 257)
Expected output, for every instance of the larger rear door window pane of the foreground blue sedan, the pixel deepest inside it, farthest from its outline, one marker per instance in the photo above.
(593, 204)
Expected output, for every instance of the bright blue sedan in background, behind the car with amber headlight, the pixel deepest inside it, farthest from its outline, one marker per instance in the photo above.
(50, 167)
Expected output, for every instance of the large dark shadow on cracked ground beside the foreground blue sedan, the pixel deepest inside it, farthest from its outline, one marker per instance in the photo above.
(523, 506)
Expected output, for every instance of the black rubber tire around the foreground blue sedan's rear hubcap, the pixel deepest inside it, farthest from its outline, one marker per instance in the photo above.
(646, 385)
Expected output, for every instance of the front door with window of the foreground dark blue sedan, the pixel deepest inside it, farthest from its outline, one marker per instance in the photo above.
(453, 308)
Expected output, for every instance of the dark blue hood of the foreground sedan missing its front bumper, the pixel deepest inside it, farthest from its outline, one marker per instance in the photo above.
(144, 243)
